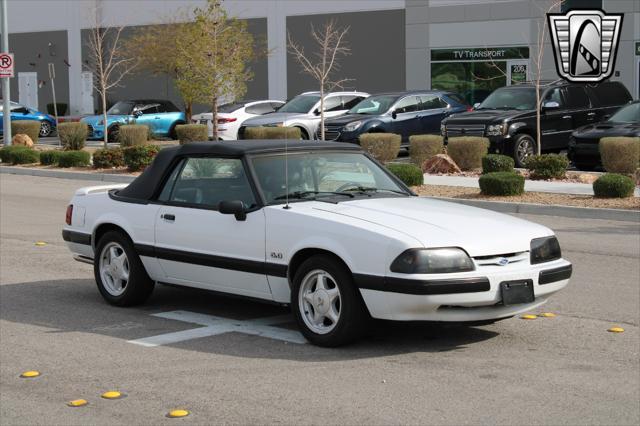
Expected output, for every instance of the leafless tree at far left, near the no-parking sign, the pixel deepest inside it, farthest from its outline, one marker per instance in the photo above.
(107, 59)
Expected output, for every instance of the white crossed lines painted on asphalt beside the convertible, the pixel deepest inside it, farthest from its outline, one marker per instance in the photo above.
(213, 326)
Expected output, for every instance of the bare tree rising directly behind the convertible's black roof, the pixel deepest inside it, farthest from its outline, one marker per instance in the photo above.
(325, 61)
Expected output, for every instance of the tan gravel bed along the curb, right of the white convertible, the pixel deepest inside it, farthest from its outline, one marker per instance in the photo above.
(632, 203)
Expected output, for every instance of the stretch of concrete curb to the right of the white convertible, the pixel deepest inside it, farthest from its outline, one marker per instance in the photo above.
(550, 210)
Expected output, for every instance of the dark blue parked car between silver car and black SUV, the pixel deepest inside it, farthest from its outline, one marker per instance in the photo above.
(403, 113)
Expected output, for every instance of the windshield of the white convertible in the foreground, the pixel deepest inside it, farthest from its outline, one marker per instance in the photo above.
(321, 174)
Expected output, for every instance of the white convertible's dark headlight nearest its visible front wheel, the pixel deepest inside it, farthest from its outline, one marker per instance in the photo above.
(432, 261)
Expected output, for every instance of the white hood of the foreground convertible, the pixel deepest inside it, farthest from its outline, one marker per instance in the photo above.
(438, 223)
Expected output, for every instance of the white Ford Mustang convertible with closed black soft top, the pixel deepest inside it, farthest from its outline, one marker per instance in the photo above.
(317, 225)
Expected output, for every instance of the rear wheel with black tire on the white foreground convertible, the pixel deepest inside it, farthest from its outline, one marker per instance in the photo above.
(120, 275)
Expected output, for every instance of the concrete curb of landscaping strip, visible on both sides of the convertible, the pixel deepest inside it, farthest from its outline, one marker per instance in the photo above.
(503, 207)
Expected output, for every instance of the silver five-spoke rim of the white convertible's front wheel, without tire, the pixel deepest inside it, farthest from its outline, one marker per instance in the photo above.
(320, 302)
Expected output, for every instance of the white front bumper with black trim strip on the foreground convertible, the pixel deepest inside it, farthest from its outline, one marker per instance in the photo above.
(460, 298)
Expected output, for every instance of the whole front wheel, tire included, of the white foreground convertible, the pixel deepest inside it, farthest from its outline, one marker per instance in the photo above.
(326, 304)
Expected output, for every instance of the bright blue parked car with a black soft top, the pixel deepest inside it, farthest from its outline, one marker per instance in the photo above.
(161, 116)
